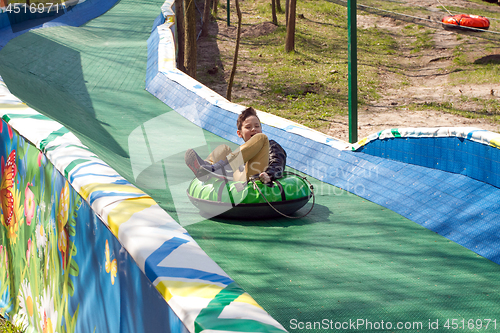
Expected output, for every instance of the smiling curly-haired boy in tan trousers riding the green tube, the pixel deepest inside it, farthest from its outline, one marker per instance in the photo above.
(257, 156)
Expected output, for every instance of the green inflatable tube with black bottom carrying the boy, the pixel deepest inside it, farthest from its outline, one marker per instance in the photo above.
(240, 200)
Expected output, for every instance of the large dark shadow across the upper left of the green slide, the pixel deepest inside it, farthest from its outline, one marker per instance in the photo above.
(49, 79)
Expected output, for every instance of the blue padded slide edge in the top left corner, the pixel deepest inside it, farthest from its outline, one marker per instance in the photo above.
(75, 16)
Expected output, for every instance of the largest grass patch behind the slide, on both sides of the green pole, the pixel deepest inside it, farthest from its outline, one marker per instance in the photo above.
(310, 84)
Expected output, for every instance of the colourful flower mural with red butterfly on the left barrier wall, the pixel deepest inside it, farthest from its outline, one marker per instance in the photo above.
(37, 250)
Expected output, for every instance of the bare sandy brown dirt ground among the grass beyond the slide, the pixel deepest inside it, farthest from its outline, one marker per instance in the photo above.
(427, 77)
